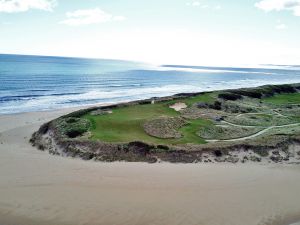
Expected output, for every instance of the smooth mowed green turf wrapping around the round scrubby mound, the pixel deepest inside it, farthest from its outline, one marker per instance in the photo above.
(126, 125)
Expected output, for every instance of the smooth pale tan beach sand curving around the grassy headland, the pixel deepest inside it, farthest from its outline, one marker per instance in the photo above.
(39, 189)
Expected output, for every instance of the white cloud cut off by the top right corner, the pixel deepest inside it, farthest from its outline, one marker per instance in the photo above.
(279, 5)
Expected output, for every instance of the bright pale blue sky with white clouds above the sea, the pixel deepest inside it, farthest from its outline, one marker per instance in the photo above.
(185, 32)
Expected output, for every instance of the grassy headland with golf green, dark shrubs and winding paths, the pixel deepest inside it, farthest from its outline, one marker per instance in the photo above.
(254, 118)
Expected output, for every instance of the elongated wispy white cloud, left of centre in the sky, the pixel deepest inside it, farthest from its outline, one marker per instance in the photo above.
(89, 16)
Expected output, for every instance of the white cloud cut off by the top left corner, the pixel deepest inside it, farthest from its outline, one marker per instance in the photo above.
(12, 6)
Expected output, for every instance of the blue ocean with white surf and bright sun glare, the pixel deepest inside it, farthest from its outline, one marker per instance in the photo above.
(40, 83)
